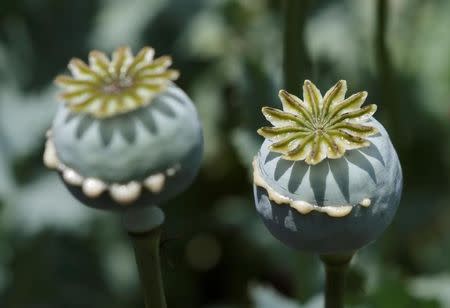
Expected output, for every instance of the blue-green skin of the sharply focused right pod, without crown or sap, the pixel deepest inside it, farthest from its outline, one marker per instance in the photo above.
(373, 172)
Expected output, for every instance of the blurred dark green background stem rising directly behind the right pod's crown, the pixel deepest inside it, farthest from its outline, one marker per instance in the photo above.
(296, 63)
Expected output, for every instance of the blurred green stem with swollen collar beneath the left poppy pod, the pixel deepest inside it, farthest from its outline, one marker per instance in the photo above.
(144, 228)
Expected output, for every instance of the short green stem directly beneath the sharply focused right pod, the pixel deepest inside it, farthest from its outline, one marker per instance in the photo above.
(335, 268)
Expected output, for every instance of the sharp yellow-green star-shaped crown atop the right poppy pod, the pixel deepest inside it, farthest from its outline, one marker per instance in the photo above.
(319, 127)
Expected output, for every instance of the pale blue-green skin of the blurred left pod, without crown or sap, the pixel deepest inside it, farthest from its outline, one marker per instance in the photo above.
(132, 146)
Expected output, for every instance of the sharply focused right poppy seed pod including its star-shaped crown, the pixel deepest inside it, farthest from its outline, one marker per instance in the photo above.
(327, 178)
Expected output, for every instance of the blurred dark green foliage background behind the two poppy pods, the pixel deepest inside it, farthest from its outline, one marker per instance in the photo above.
(216, 253)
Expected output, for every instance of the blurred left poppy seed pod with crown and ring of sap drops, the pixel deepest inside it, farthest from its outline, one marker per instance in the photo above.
(126, 134)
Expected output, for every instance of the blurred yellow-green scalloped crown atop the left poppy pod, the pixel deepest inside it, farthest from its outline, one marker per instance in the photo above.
(105, 87)
